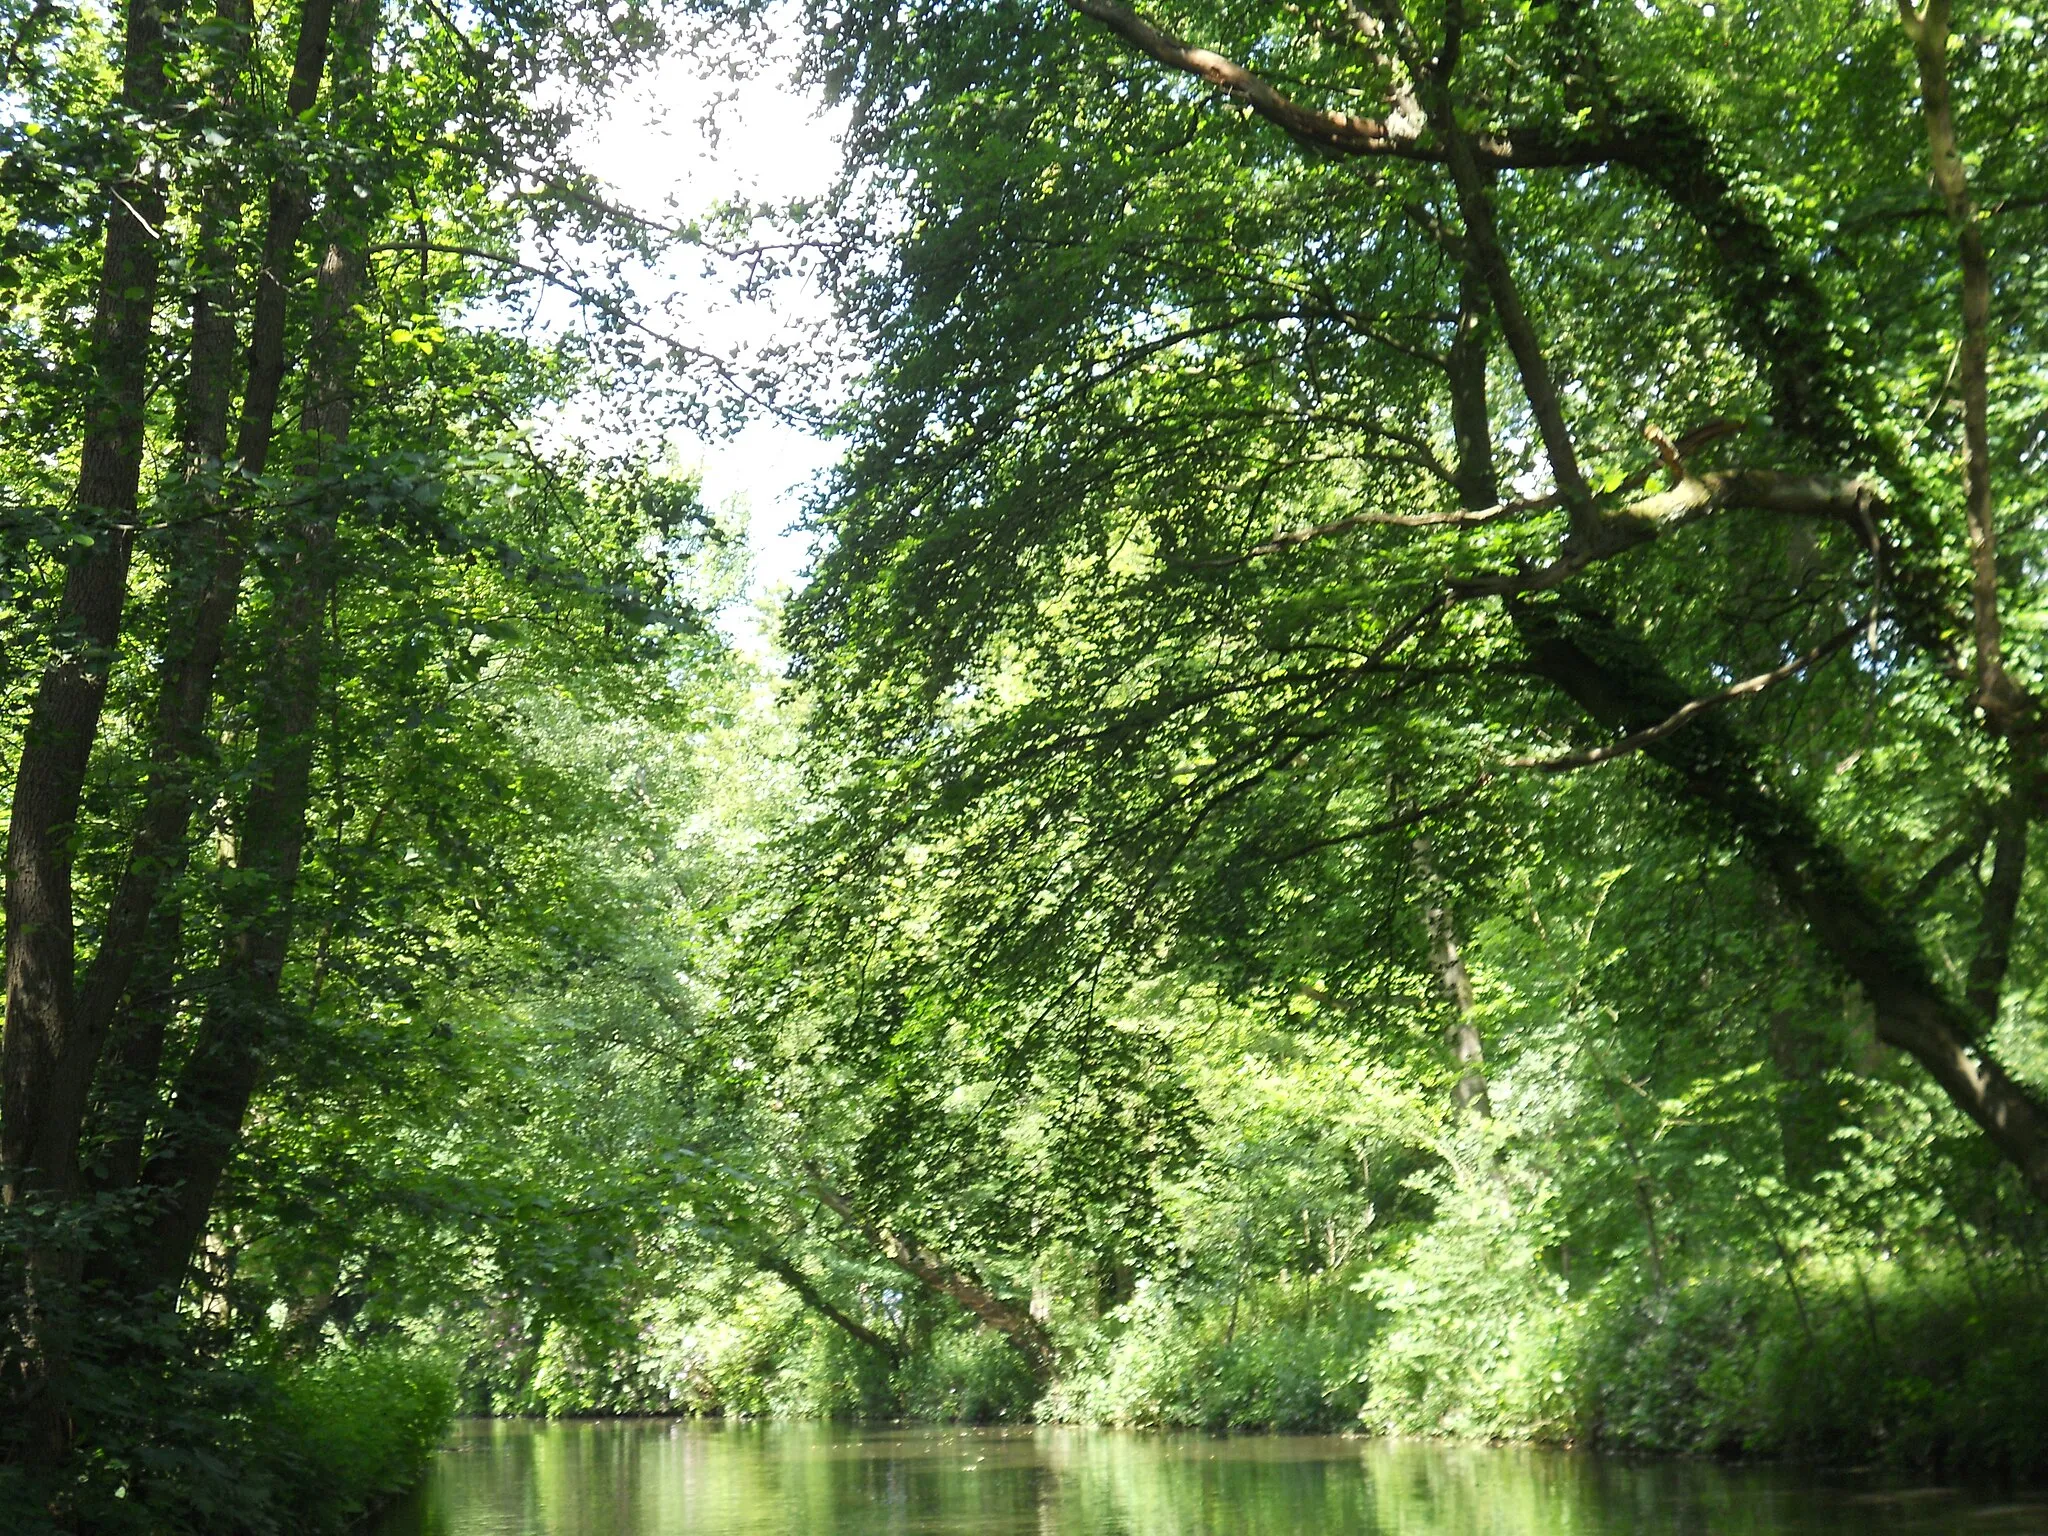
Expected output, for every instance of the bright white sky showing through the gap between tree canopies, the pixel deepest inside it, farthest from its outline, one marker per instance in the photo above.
(675, 146)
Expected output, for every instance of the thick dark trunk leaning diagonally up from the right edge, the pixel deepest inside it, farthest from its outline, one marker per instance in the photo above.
(1621, 687)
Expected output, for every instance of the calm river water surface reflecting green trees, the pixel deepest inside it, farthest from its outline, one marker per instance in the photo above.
(800, 1480)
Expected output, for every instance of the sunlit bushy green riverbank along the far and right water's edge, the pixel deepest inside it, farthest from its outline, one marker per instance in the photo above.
(1930, 1371)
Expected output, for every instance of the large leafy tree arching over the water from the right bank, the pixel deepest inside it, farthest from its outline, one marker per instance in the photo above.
(1168, 568)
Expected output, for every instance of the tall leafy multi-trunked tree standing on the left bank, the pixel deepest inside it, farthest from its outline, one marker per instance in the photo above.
(286, 411)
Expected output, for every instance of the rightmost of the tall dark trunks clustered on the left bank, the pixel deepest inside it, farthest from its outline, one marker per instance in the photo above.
(237, 1035)
